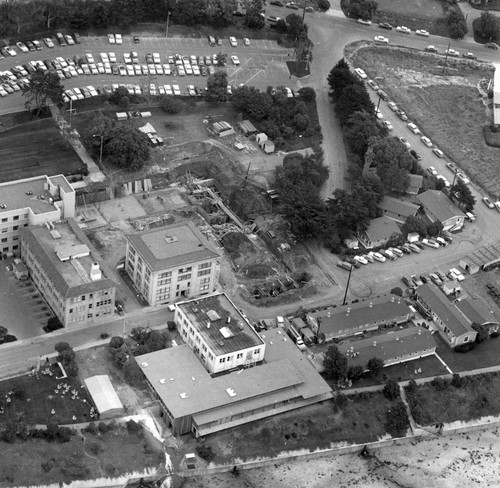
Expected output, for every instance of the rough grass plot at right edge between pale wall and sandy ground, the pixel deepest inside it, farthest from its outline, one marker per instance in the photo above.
(478, 397)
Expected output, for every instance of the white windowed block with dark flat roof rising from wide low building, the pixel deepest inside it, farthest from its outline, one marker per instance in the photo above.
(218, 333)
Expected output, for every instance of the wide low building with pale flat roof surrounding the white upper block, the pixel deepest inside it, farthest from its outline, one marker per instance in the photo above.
(192, 400)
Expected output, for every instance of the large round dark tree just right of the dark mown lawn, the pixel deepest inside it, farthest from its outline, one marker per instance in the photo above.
(126, 147)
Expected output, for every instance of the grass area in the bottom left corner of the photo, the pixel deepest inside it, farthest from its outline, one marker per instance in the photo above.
(114, 453)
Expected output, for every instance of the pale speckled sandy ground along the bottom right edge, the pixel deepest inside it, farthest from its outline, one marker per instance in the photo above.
(446, 462)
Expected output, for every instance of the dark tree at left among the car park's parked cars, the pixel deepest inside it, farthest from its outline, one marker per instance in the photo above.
(42, 88)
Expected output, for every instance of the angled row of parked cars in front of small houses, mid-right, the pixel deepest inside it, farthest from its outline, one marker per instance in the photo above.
(393, 253)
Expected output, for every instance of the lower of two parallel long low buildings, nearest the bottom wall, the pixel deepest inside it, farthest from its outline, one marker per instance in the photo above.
(395, 347)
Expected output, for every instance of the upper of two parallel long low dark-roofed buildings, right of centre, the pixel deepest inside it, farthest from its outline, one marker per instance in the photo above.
(356, 318)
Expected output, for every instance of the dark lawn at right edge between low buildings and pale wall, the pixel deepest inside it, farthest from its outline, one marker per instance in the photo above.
(484, 355)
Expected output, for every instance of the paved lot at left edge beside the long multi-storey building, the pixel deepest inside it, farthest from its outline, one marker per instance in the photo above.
(24, 311)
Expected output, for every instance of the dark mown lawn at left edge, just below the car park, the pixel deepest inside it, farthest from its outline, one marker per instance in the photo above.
(33, 149)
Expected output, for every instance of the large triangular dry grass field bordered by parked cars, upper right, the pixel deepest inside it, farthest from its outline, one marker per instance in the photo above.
(448, 109)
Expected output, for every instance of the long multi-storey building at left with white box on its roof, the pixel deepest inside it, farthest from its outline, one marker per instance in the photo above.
(66, 269)
